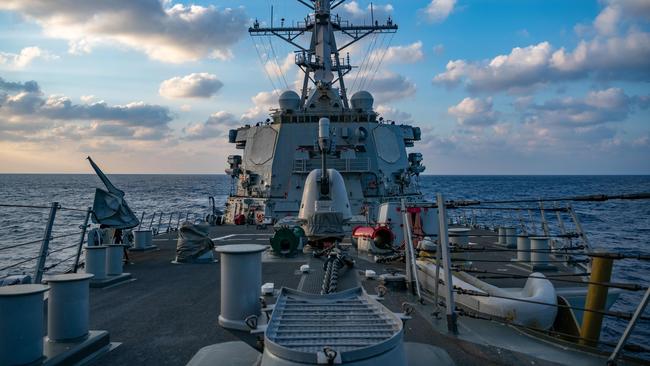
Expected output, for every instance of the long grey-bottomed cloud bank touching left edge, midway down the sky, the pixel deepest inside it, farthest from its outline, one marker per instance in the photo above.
(26, 111)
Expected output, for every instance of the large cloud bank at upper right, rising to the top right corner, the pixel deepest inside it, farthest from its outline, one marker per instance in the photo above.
(610, 54)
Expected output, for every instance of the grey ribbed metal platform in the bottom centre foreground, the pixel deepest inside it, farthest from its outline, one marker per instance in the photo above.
(358, 329)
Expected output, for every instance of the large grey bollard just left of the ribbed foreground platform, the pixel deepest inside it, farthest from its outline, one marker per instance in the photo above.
(241, 279)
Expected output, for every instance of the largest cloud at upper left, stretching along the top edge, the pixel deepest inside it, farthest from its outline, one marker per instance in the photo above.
(165, 31)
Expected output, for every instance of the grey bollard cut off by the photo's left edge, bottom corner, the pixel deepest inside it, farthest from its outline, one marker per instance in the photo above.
(21, 324)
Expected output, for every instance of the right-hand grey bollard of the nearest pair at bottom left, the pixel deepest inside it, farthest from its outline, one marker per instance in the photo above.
(67, 308)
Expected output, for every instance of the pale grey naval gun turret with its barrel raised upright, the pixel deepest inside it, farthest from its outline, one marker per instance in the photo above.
(325, 207)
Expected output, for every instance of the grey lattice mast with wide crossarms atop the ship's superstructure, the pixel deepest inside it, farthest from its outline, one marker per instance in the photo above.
(321, 62)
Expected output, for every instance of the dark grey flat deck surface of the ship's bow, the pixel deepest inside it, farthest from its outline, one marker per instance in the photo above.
(170, 311)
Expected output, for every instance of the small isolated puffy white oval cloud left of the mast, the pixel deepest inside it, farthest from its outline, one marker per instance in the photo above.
(196, 85)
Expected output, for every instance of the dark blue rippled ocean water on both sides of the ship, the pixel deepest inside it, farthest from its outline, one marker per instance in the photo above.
(621, 226)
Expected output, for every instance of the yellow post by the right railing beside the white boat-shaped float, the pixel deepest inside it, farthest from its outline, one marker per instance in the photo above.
(601, 271)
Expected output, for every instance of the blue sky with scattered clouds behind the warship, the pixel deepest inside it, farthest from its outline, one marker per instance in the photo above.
(507, 87)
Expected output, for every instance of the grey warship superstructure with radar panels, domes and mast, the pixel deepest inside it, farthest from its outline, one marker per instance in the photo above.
(279, 153)
